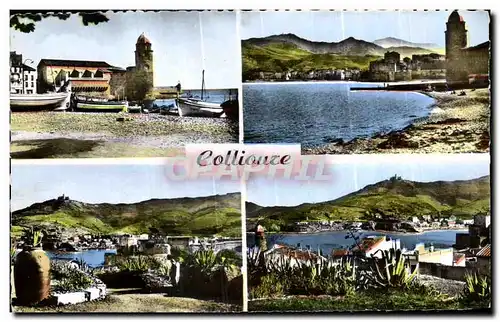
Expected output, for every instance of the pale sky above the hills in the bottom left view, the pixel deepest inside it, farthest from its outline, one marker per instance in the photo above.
(111, 183)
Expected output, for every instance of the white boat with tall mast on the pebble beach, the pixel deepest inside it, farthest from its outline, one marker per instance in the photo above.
(199, 107)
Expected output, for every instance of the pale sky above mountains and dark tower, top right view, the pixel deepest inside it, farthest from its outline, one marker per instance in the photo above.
(334, 26)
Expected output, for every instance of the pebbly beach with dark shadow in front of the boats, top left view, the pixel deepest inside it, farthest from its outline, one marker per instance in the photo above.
(58, 135)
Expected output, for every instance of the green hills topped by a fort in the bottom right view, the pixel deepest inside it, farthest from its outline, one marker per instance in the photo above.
(390, 198)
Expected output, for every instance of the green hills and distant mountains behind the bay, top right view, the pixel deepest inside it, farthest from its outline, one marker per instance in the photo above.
(279, 53)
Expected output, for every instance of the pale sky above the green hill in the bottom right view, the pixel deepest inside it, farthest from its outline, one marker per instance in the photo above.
(348, 178)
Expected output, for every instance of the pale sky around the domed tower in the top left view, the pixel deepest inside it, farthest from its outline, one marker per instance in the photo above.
(183, 43)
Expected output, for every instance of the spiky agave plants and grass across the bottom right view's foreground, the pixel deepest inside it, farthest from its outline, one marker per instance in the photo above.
(388, 283)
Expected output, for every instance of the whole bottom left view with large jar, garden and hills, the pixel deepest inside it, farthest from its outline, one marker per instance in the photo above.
(123, 237)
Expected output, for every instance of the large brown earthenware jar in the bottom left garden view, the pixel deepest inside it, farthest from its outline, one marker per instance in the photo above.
(32, 276)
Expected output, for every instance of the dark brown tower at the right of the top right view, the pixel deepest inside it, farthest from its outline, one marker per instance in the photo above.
(456, 39)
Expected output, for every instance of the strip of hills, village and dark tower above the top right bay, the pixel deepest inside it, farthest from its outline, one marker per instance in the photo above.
(287, 57)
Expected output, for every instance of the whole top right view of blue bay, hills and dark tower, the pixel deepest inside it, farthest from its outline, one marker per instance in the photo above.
(356, 82)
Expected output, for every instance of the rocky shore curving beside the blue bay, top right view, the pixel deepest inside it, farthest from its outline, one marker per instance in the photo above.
(456, 124)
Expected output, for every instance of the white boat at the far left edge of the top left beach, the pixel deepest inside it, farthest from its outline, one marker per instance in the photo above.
(37, 101)
